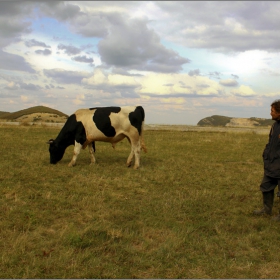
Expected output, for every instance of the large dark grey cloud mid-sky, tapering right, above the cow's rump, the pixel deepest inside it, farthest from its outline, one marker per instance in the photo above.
(131, 44)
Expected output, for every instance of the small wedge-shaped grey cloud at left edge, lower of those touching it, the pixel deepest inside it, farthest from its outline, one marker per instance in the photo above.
(14, 62)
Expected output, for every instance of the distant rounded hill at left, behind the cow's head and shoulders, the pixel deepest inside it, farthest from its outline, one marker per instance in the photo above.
(35, 113)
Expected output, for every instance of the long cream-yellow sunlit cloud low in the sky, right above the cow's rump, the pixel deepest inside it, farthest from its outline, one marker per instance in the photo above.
(154, 85)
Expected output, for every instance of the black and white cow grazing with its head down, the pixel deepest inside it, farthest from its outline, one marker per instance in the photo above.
(107, 124)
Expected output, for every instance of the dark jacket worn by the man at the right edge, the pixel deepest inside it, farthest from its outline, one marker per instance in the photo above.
(271, 153)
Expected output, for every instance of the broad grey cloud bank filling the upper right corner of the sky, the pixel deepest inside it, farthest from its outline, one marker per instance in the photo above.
(224, 26)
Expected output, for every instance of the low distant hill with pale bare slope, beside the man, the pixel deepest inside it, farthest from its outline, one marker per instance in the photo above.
(217, 120)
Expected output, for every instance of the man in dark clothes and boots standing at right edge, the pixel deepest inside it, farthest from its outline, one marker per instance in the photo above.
(271, 159)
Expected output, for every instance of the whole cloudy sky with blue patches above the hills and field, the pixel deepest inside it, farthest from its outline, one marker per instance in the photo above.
(182, 61)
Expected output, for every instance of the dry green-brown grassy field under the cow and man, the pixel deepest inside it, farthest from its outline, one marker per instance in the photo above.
(186, 213)
